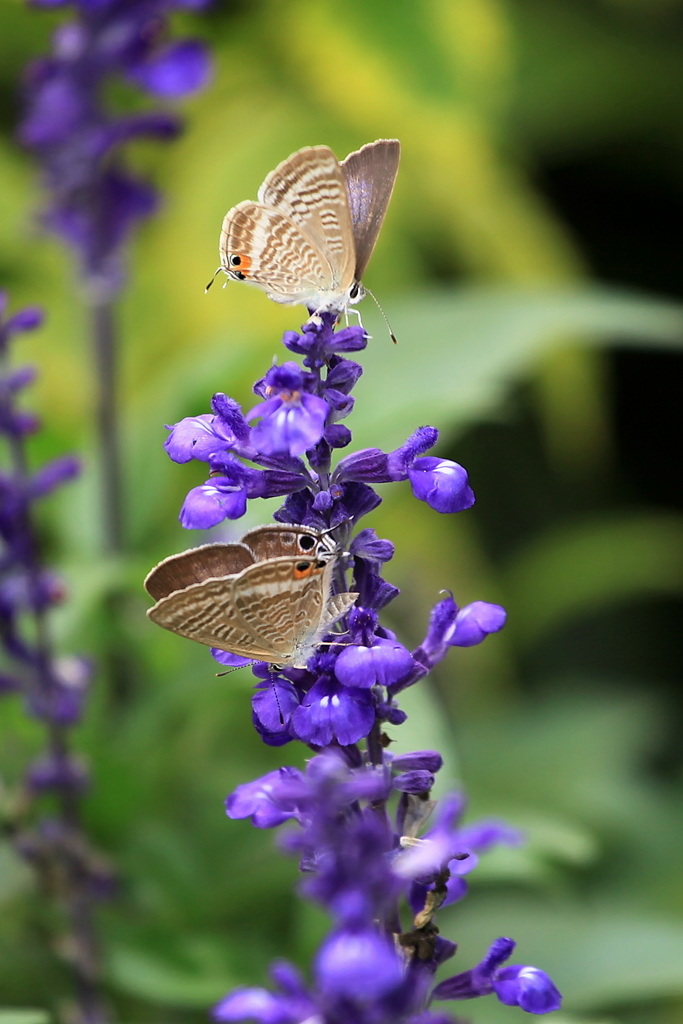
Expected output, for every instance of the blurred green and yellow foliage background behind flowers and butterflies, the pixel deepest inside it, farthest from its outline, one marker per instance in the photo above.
(531, 267)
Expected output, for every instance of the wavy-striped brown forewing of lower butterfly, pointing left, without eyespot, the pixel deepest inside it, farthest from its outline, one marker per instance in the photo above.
(206, 613)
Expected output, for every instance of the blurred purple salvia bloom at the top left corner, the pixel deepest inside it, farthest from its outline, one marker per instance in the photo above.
(95, 201)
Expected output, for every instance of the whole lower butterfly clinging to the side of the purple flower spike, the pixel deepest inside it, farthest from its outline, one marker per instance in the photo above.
(270, 598)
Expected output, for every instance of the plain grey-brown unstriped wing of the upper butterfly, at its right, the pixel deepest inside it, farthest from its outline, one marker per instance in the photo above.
(370, 175)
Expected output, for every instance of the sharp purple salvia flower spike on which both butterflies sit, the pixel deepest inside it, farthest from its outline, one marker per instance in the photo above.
(358, 816)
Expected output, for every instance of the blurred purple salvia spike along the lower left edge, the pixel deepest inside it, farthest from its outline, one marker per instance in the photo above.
(54, 689)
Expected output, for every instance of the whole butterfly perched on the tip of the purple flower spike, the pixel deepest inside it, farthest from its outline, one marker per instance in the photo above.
(310, 237)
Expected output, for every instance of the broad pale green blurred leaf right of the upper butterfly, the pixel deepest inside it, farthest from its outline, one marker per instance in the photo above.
(476, 344)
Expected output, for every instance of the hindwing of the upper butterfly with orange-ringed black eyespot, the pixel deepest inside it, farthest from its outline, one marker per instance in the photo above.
(274, 253)
